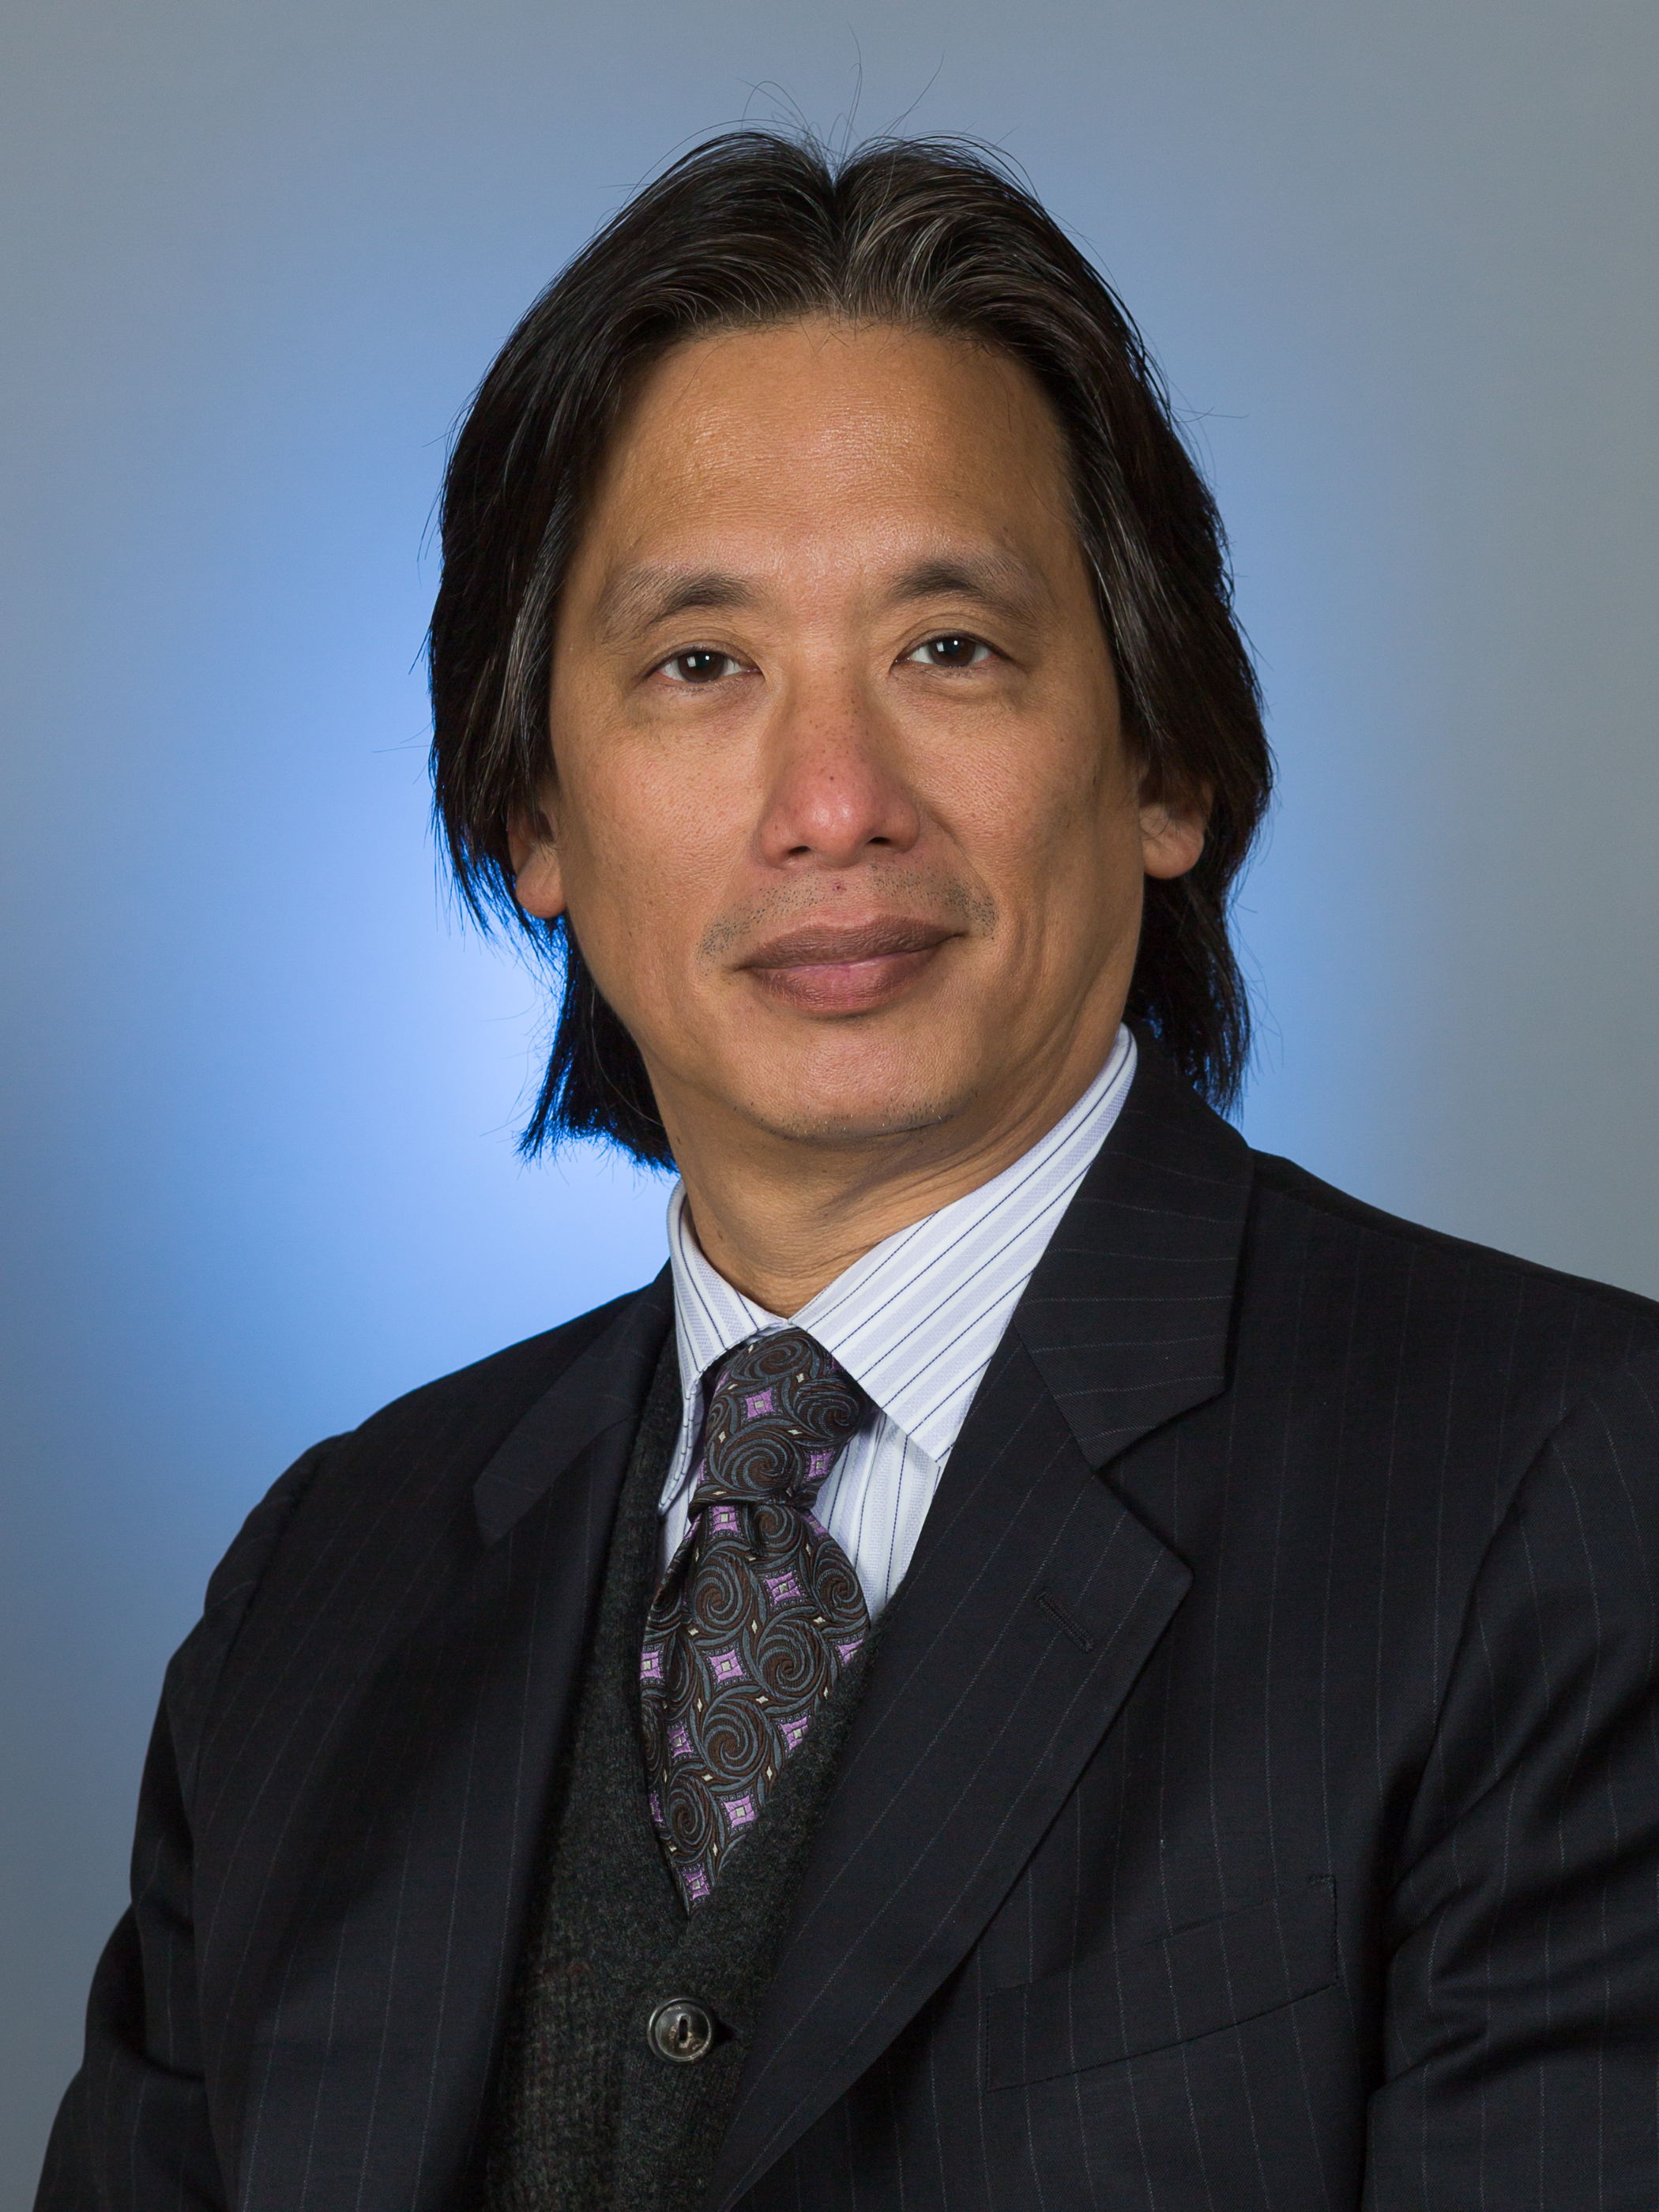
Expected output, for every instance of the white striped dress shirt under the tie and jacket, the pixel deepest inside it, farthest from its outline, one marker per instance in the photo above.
(915, 1322)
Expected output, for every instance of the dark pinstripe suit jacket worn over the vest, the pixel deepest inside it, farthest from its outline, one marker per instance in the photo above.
(1255, 1802)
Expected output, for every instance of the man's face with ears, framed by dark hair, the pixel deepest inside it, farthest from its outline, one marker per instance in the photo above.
(839, 802)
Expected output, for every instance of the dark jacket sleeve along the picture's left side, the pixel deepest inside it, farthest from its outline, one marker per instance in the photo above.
(134, 2129)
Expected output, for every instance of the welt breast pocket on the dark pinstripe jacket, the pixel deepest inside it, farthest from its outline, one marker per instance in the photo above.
(1165, 1992)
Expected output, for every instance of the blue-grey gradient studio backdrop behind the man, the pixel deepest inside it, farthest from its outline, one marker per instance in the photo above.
(258, 1085)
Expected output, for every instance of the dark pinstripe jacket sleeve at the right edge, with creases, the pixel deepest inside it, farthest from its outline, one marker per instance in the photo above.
(1523, 2005)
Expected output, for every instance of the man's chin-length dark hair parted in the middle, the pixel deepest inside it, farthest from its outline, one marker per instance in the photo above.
(760, 229)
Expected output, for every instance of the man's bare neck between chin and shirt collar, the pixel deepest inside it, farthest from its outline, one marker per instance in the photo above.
(784, 1218)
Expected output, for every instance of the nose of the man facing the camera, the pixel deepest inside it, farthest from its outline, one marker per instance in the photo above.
(837, 789)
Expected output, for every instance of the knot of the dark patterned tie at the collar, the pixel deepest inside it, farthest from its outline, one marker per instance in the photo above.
(778, 1417)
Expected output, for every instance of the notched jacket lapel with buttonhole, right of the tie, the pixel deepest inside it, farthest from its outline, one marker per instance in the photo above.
(1032, 1607)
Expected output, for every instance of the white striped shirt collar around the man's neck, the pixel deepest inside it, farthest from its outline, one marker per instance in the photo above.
(919, 1317)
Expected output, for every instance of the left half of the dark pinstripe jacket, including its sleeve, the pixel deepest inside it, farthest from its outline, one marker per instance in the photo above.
(344, 1802)
